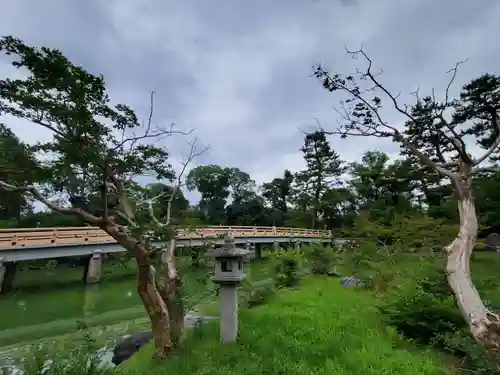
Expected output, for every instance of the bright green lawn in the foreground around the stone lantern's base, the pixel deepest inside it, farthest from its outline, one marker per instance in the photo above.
(319, 328)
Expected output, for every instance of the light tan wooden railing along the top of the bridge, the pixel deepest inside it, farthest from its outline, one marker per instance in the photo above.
(39, 237)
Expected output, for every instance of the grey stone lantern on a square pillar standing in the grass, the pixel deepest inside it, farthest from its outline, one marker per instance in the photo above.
(229, 275)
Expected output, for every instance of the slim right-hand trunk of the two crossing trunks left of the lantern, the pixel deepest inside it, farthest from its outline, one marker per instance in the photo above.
(169, 285)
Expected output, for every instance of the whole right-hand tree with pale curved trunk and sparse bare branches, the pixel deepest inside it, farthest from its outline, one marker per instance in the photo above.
(434, 134)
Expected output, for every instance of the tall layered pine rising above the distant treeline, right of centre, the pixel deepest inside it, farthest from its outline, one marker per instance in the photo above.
(324, 169)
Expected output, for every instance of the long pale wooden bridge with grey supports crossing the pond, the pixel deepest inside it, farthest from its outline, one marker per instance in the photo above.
(21, 244)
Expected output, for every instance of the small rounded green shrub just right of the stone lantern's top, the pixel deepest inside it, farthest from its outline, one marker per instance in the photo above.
(287, 268)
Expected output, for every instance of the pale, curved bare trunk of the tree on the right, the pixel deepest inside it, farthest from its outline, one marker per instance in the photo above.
(483, 323)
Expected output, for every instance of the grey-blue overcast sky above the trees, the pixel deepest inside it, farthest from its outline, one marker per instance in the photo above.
(240, 71)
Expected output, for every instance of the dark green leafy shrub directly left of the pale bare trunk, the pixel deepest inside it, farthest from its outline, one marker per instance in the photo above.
(421, 307)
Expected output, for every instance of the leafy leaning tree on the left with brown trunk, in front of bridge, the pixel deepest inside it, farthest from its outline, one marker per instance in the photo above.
(95, 150)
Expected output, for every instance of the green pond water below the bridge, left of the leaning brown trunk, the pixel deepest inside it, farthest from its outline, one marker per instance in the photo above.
(34, 315)
